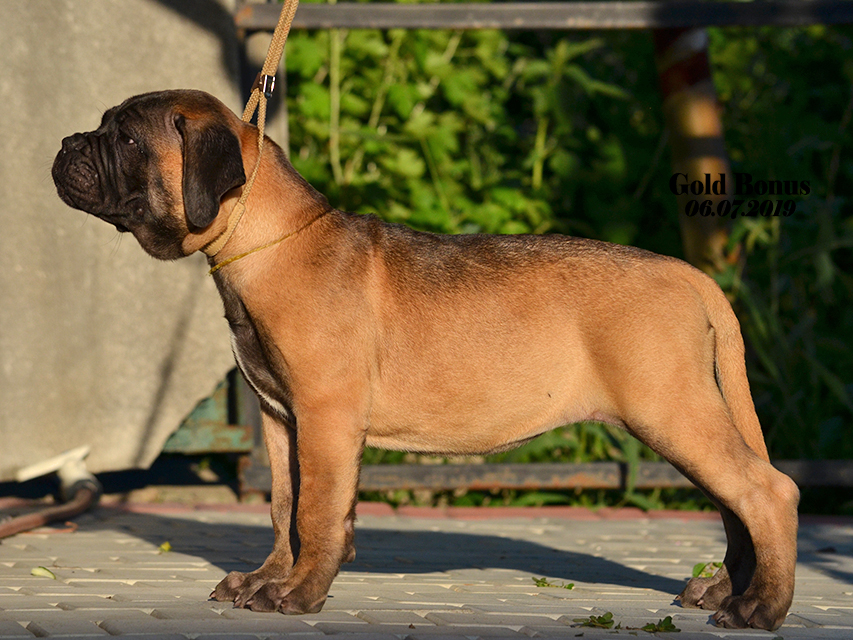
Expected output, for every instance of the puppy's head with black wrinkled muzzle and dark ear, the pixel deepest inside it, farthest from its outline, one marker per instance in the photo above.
(158, 166)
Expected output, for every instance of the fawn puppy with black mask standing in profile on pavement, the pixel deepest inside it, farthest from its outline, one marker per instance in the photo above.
(354, 332)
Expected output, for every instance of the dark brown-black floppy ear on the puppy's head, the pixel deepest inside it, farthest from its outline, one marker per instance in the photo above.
(212, 166)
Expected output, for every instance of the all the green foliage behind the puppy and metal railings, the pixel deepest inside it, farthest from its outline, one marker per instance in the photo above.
(485, 131)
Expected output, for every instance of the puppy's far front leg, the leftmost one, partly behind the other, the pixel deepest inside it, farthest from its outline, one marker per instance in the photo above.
(244, 589)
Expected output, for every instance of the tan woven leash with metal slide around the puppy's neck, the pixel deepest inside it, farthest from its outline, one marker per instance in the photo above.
(261, 92)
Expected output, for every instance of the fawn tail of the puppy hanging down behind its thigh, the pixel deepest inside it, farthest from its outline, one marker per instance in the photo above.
(730, 365)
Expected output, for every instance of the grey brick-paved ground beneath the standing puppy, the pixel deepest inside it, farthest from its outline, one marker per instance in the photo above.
(419, 574)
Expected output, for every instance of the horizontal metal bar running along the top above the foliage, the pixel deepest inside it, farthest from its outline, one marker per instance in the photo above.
(641, 14)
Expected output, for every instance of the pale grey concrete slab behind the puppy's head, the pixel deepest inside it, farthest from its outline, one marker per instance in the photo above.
(99, 344)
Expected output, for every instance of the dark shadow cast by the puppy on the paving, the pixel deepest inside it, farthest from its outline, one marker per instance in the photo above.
(241, 547)
